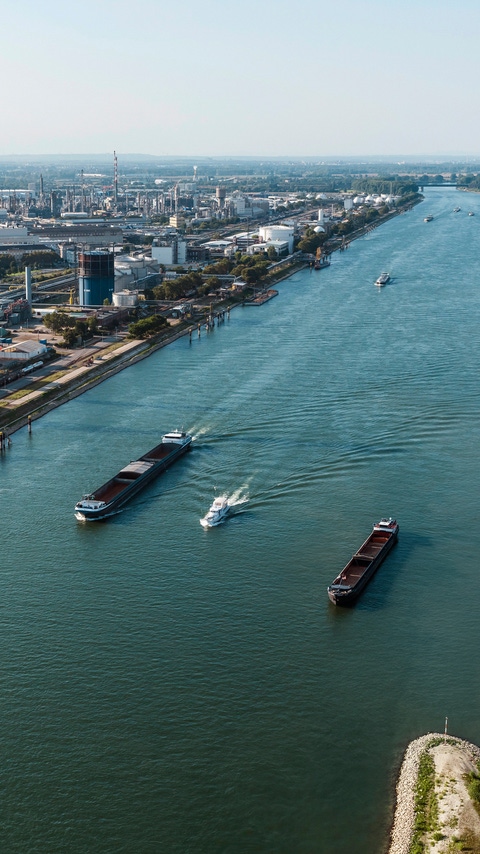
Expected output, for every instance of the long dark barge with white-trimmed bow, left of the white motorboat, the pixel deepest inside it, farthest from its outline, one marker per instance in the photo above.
(109, 498)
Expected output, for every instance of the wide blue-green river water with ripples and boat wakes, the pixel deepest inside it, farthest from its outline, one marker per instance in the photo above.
(167, 688)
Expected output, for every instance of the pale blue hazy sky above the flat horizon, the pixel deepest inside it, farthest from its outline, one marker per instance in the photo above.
(332, 78)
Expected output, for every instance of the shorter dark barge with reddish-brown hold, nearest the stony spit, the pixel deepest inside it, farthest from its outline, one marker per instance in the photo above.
(359, 570)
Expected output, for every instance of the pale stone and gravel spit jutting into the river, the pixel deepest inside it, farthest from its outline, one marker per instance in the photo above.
(453, 818)
